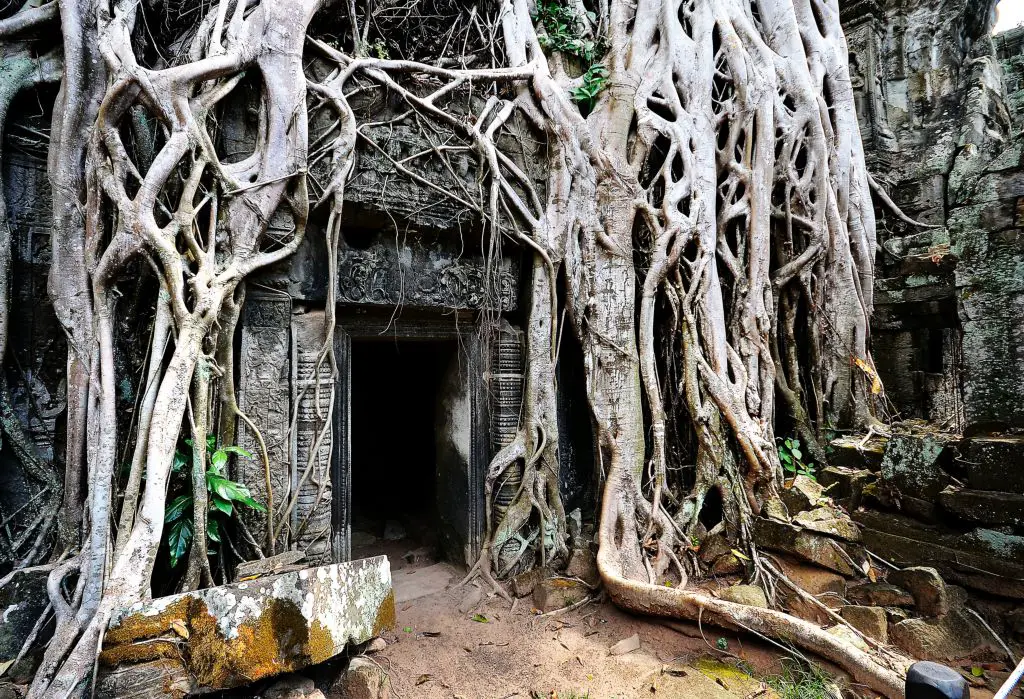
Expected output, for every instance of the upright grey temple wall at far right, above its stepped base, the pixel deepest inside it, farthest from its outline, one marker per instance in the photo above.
(942, 121)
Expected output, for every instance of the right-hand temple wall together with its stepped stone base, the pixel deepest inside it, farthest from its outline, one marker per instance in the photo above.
(944, 125)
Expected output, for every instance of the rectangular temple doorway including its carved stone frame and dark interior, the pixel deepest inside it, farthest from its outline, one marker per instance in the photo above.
(413, 439)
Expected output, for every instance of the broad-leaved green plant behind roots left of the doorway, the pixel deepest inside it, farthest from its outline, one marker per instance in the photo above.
(223, 495)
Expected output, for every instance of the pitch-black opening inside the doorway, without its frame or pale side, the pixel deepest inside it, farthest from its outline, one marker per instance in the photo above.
(397, 389)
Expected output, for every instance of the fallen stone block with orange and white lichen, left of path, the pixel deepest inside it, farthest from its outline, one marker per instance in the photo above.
(234, 635)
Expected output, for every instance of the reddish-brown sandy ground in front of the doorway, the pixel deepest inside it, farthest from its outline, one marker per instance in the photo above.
(447, 646)
